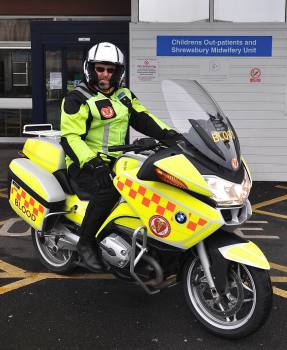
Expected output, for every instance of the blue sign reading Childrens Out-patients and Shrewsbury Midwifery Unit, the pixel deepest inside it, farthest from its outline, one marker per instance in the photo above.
(235, 46)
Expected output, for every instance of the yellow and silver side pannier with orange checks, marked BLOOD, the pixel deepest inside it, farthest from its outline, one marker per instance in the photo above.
(34, 192)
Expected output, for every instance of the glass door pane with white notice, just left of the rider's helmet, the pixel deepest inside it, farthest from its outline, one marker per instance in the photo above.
(64, 68)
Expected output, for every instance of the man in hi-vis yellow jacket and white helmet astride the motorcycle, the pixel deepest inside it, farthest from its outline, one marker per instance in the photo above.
(95, 115)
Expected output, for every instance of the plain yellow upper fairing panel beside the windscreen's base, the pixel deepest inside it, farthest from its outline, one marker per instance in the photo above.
(186, 172)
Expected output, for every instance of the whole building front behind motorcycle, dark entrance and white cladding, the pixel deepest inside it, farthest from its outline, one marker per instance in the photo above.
(42, 47)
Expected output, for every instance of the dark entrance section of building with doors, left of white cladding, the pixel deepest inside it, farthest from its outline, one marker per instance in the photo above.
(55, 36)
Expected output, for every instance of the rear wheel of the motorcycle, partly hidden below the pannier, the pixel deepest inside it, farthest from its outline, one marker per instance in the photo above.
(59, 261)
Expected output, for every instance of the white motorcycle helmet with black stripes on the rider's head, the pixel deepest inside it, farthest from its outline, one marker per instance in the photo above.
(104, 53)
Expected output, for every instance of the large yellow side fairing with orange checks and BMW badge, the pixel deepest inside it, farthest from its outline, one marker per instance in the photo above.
(157, 205)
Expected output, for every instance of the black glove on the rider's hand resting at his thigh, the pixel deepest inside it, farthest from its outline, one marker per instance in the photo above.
(102, 174)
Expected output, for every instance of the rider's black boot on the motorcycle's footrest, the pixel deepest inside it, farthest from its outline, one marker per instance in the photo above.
(91, 254)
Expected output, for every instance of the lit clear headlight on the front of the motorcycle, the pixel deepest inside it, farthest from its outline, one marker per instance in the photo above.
(227, 193)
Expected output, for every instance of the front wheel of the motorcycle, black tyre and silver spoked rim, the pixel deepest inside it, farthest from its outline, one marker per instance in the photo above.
(244, 305)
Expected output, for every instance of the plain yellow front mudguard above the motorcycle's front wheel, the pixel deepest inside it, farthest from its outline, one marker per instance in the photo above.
(245, 253)
